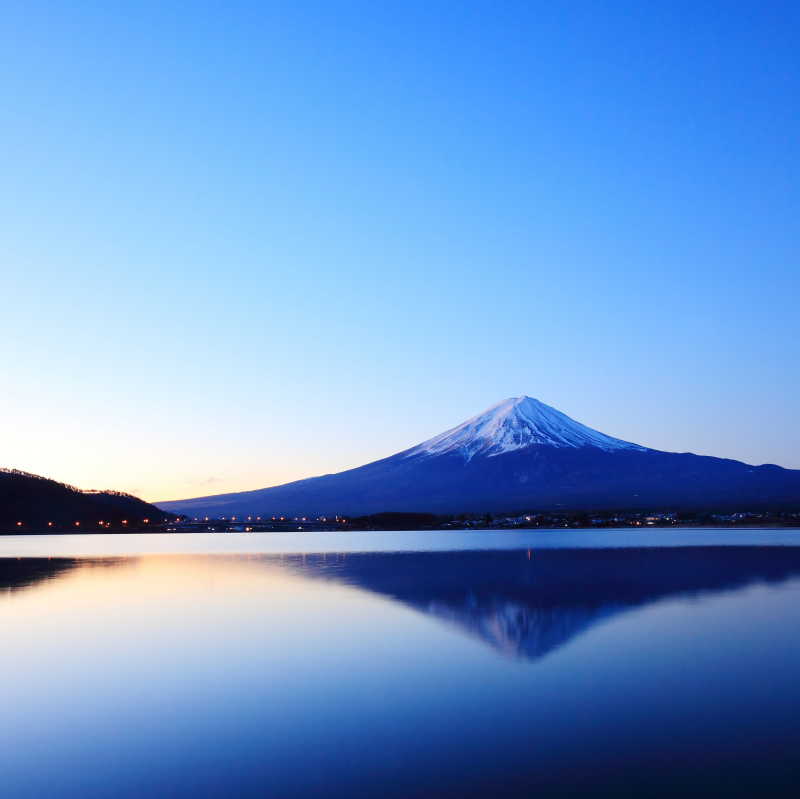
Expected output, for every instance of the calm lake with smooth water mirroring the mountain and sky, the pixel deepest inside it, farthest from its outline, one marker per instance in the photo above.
(414, 664)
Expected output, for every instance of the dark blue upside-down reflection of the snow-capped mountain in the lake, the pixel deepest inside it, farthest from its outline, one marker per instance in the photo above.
(527, 603)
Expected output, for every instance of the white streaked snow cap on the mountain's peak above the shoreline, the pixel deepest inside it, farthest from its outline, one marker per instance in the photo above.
(517, 423)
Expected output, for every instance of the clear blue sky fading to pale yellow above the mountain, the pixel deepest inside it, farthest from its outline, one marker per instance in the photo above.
(244, 243)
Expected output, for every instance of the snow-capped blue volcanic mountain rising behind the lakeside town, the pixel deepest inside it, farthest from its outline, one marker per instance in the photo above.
(518, 455)
